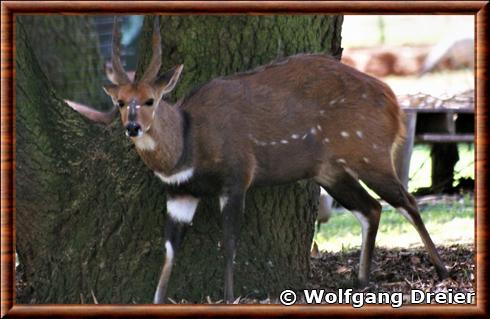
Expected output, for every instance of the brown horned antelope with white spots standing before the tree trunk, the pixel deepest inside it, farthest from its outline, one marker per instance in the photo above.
(334, 124)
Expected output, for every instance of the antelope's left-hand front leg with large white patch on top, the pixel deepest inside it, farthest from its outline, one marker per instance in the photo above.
(180, 211)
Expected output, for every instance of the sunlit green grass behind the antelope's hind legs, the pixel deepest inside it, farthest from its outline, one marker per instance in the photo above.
(448, 223)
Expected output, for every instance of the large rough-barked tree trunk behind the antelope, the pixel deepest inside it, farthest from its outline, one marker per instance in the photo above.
(90, 215)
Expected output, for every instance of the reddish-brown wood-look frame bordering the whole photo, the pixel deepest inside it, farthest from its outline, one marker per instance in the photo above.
(10, 8)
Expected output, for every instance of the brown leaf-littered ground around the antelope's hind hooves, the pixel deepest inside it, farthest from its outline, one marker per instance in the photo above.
(393, 270)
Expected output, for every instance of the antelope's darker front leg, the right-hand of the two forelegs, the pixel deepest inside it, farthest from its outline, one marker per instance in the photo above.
(232, 208)
